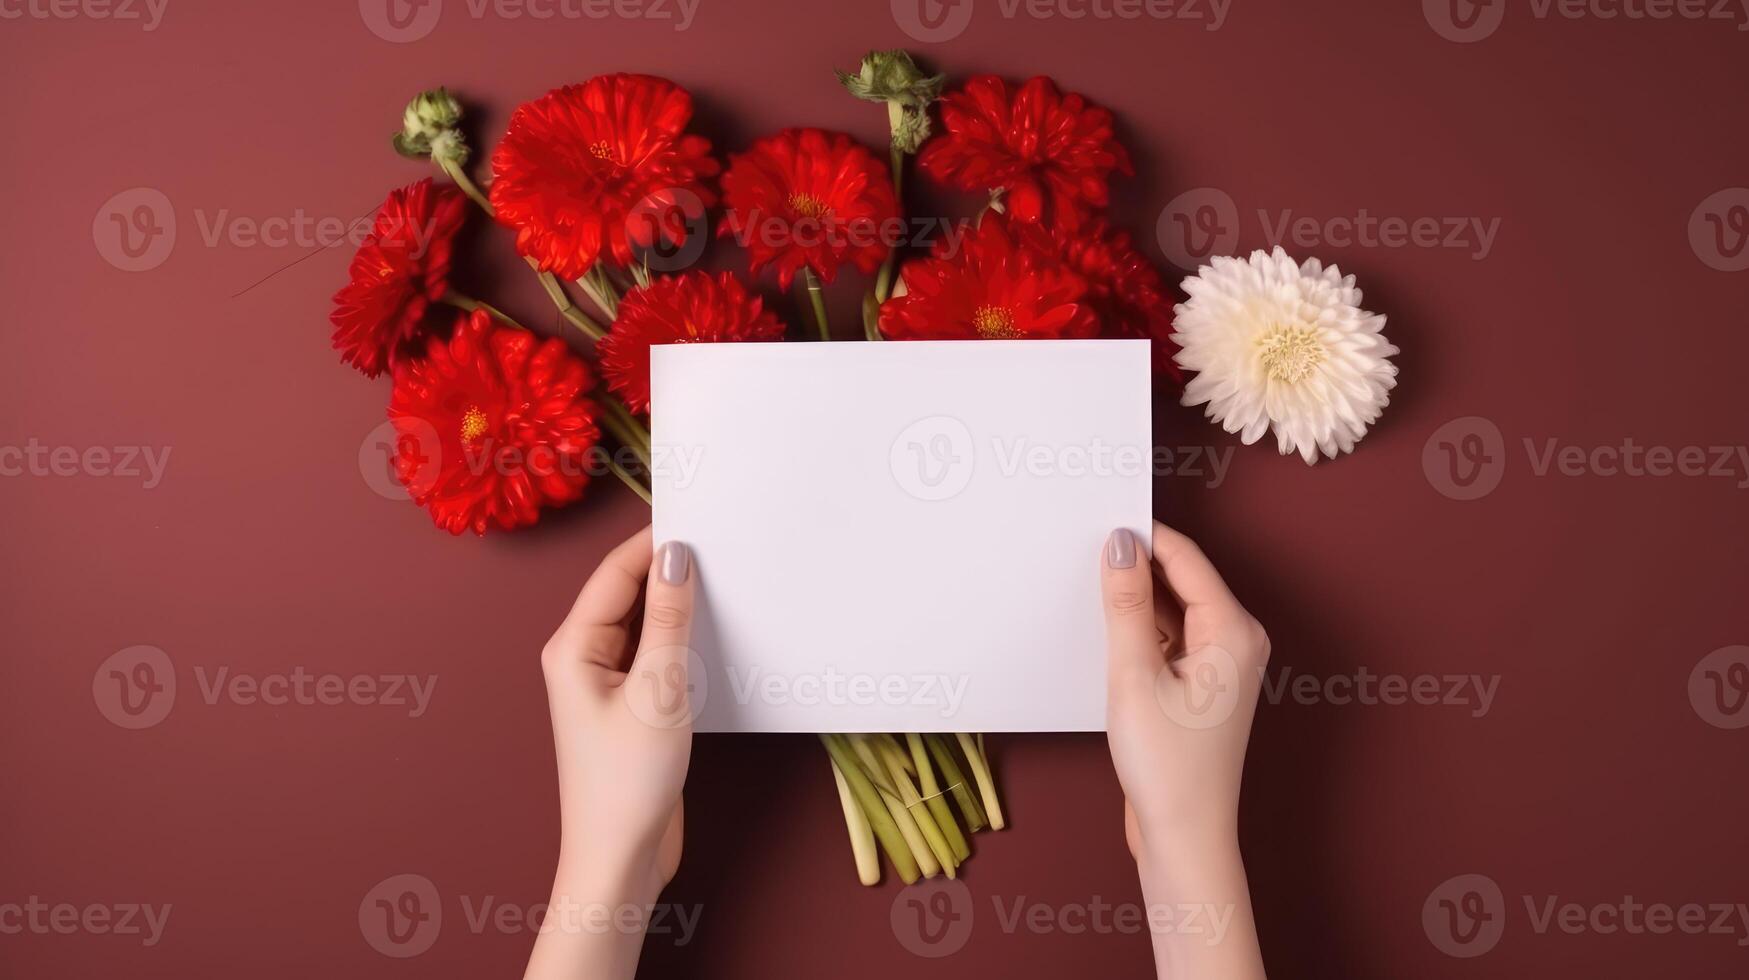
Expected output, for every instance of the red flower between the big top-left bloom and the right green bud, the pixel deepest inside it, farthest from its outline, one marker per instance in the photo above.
(809, 199)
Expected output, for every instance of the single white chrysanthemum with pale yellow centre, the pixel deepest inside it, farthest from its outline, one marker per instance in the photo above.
(1285, 347)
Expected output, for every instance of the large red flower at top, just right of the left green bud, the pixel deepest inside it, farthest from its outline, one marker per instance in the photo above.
(599, 169)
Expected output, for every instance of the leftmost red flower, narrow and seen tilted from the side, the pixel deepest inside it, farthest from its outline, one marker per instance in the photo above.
(401, 269)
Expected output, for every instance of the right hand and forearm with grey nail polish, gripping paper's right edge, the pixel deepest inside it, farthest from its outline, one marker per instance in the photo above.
(1185, 671)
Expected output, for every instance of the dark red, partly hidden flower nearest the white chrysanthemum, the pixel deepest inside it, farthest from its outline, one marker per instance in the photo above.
(1124, 288)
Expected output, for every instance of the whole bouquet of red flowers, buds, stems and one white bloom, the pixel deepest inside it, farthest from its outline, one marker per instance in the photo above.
(613, 199)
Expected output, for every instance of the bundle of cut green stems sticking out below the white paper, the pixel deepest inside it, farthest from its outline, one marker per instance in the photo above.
(896, 797)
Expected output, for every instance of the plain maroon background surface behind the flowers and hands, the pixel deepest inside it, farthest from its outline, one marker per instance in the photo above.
(1592, 319)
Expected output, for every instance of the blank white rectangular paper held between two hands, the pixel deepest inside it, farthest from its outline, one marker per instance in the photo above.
(900, 536)
